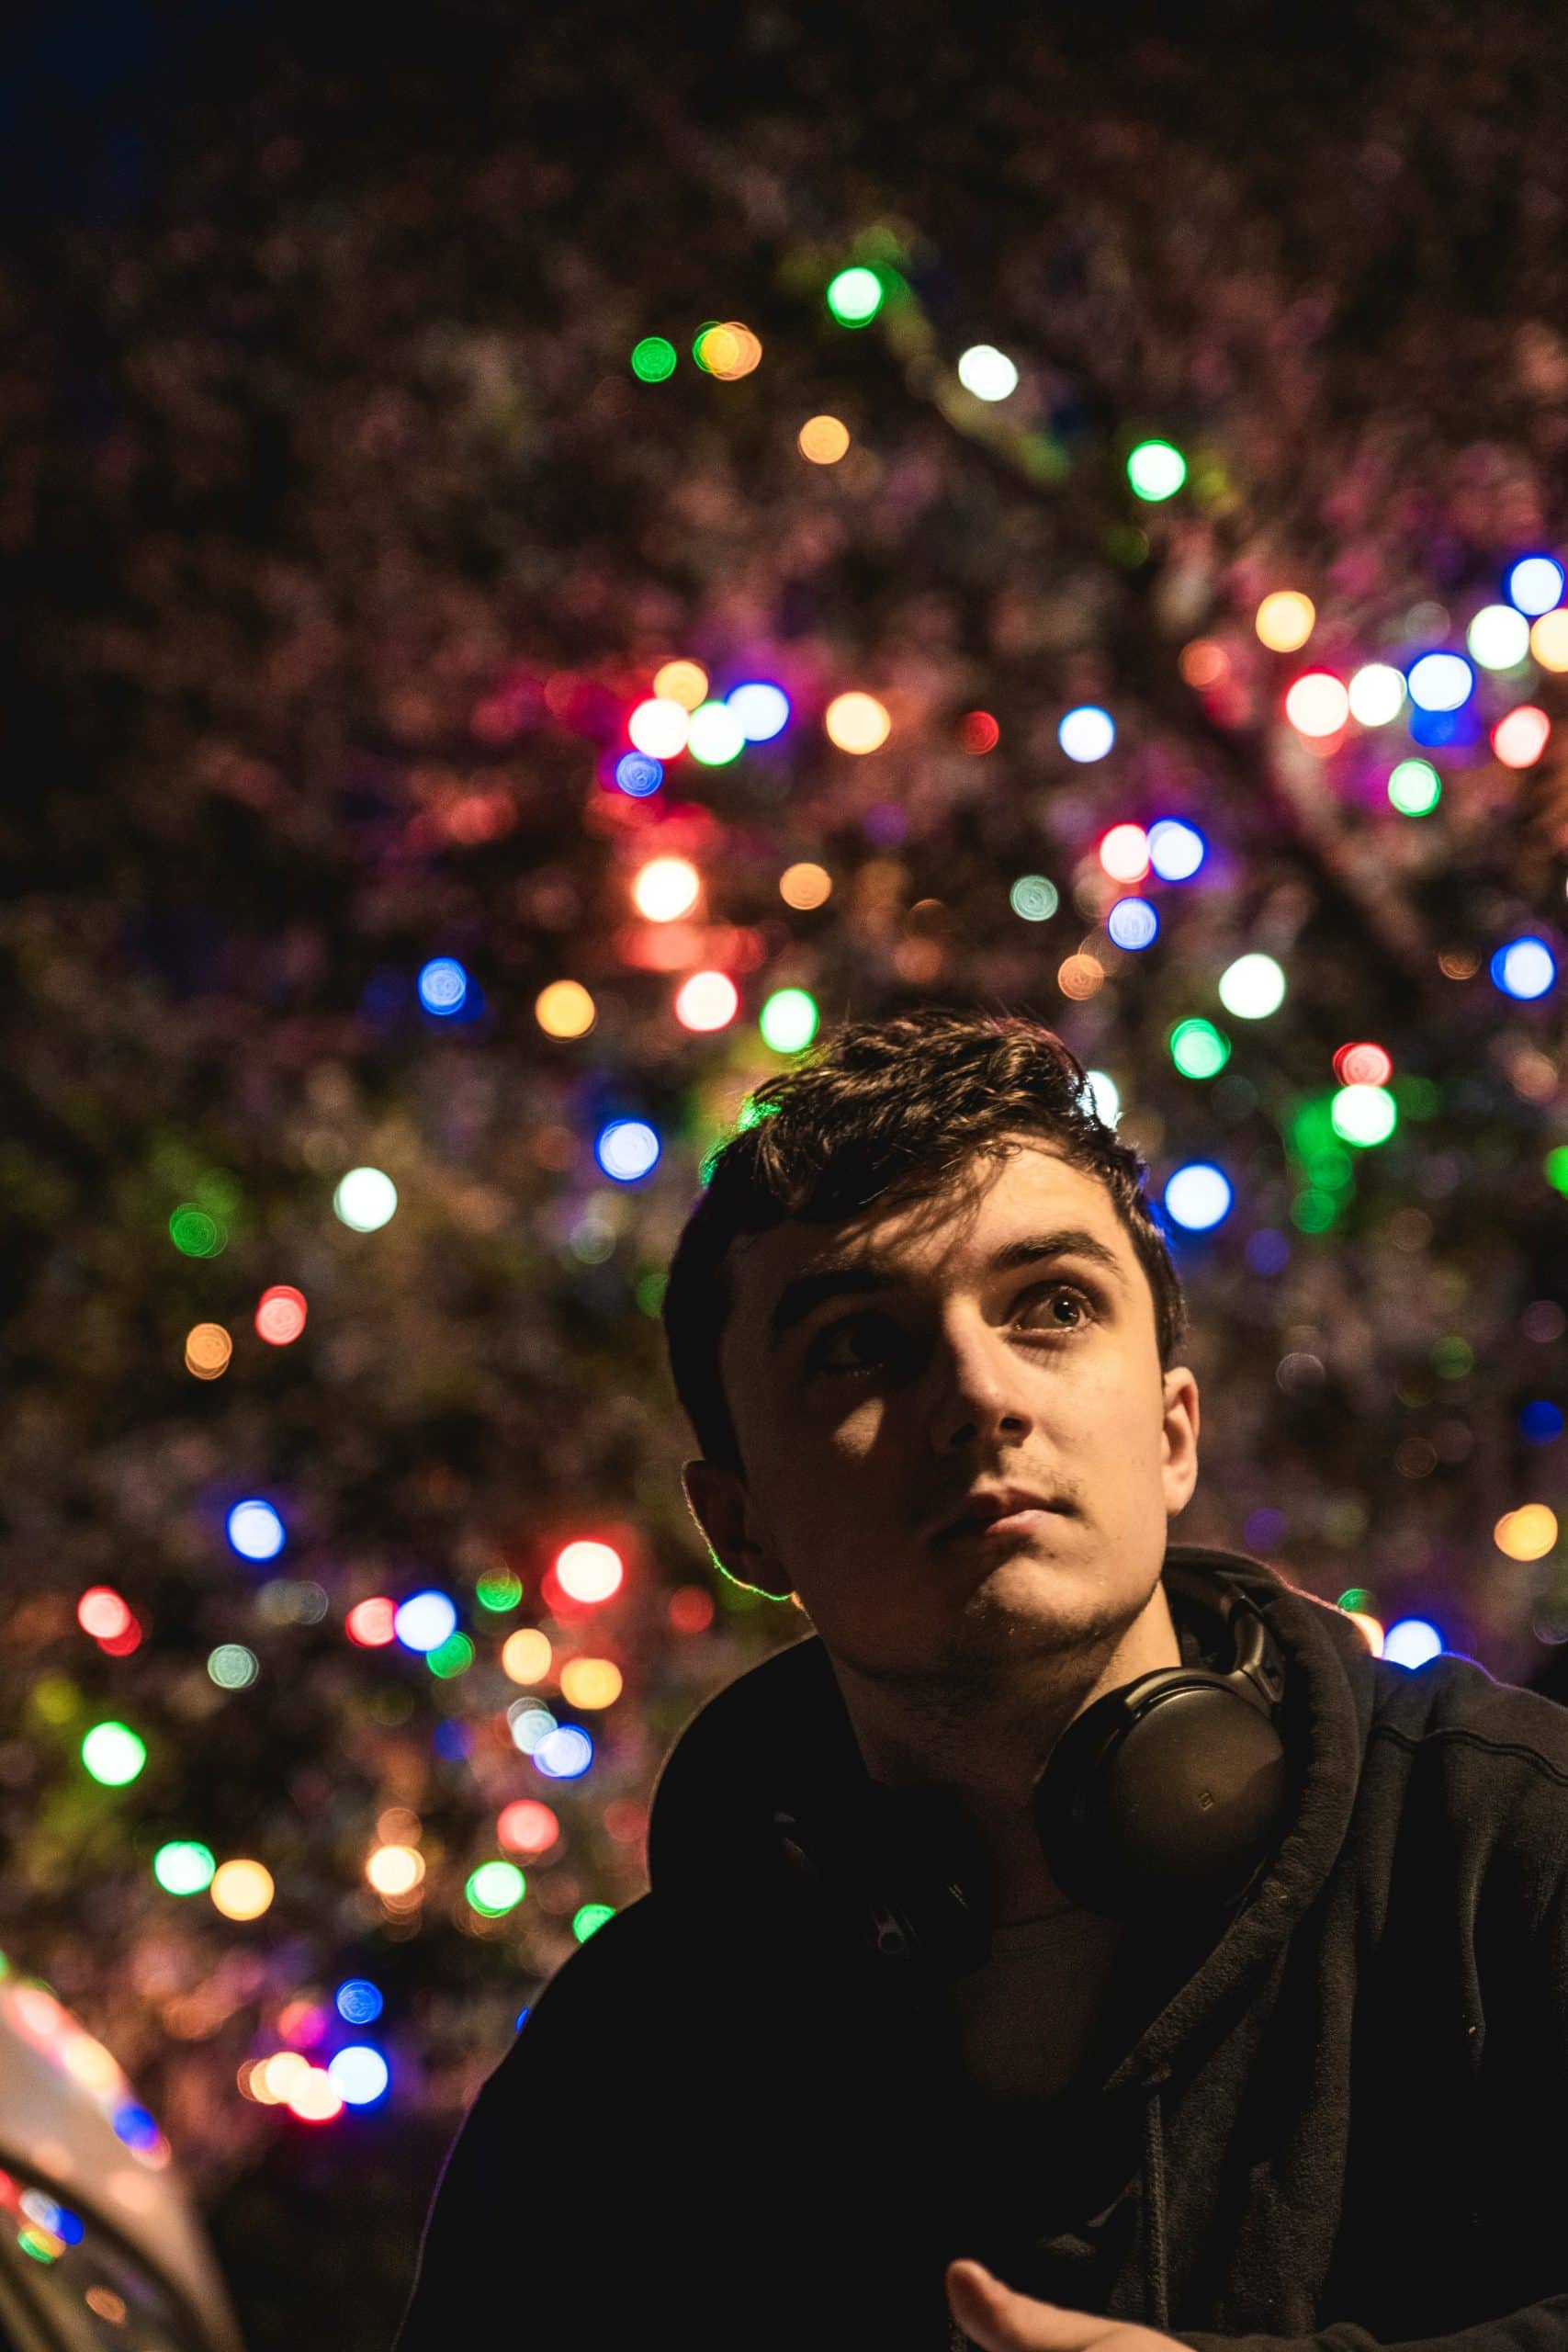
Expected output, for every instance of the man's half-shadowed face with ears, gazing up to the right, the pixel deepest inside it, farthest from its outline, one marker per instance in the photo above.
(866, 1419)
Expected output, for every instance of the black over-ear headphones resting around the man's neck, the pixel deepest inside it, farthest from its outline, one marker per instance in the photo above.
(1162, 1798)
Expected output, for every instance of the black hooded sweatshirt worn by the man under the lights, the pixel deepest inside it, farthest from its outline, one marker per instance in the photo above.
(1339, 2116)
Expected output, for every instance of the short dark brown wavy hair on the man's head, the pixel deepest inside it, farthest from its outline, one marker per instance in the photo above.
(890, 1109)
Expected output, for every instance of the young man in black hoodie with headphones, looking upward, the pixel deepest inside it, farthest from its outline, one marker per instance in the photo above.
(1080, 1939)
